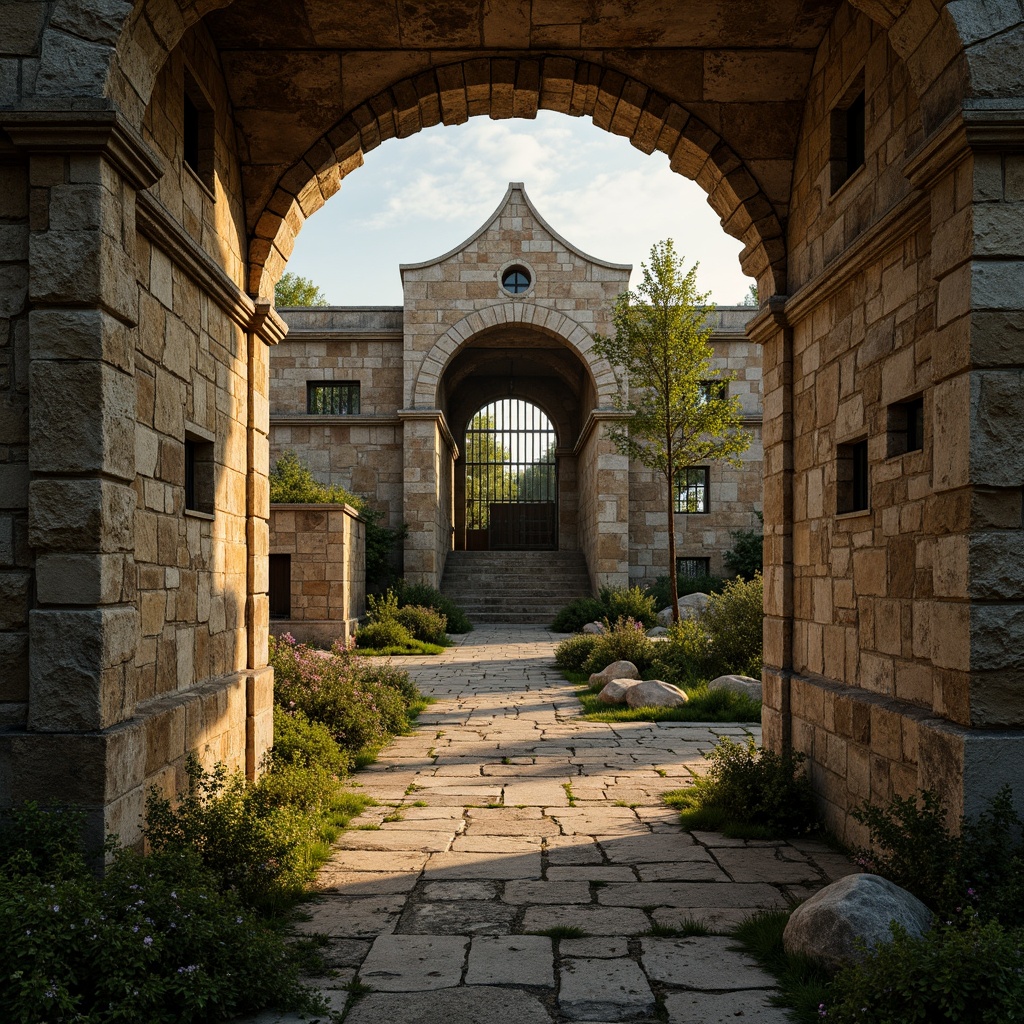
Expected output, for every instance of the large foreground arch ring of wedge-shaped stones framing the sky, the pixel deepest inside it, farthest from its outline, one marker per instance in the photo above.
(504, 88)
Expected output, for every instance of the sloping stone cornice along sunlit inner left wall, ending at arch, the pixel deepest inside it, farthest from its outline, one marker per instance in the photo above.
(155, 222)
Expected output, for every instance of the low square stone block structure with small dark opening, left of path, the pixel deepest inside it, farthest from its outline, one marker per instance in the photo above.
(327, 546)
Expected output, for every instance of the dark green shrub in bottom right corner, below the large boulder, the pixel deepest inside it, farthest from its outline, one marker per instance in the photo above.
(970, 976)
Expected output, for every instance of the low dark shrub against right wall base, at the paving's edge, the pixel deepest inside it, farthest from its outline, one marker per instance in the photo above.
(751, 788)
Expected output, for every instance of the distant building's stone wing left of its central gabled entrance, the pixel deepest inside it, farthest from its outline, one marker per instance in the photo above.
(362, 454)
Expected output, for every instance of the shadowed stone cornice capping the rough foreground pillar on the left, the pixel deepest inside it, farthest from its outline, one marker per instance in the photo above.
(104, 133)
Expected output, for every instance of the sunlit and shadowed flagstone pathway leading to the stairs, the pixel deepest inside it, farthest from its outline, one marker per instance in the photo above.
(505, 816)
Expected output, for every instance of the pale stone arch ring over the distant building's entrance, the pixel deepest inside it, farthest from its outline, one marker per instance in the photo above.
(426, 390)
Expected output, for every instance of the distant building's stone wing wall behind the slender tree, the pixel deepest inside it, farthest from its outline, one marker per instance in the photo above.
(735, 493)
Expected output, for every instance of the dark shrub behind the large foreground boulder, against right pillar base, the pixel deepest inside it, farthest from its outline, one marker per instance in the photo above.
(980, 870)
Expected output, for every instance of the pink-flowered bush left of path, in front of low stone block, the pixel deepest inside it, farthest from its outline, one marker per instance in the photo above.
(361, 705)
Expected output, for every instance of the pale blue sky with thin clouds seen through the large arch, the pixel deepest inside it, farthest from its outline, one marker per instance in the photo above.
(417, 198)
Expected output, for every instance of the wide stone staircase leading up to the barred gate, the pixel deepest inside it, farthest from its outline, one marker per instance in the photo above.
(525, 587)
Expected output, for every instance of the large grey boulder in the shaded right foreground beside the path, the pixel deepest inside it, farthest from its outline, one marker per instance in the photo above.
(860, 907)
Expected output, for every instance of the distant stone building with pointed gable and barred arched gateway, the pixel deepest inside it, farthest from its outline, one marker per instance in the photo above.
(496, 338)
